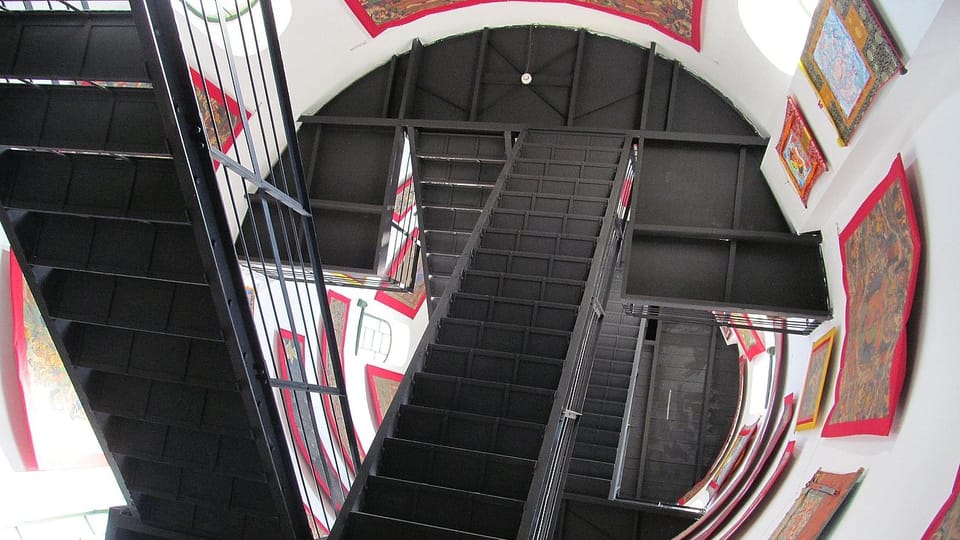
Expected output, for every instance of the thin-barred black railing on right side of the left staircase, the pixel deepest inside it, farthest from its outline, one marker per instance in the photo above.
(250, 137)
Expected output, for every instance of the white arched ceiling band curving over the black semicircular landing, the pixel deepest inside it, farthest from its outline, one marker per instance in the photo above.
(341, 50)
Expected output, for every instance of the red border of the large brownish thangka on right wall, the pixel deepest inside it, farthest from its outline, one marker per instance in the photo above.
(878, 426)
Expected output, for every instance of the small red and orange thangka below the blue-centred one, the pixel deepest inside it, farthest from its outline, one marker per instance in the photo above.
(799, 151)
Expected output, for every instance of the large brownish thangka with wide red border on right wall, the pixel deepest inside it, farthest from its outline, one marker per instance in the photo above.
(880, 255)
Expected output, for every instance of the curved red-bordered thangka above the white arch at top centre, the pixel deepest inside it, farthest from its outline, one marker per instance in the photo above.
(679, 19)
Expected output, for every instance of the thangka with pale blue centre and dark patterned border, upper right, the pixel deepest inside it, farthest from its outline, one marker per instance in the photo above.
(848, 57)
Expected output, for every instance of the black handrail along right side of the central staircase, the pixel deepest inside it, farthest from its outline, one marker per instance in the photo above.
(542, 504)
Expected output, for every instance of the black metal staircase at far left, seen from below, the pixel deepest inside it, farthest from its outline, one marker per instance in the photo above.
(111, 240)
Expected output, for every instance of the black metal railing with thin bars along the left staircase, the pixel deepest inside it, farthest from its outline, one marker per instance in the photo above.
(233, 116)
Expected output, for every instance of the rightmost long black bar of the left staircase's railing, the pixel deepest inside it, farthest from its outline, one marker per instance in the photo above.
(296, 163)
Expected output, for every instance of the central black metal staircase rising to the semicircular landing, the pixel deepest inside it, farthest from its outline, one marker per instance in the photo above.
(461, 457)
